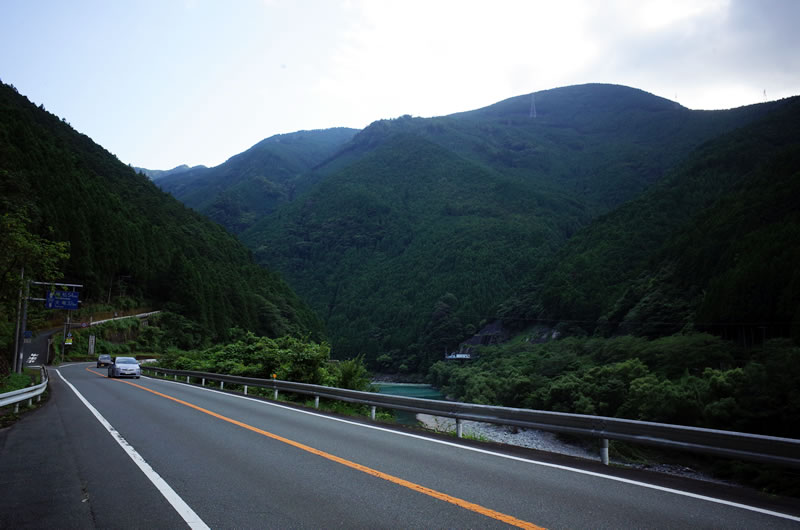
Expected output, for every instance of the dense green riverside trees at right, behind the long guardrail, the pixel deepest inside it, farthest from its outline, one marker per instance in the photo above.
(696, 379)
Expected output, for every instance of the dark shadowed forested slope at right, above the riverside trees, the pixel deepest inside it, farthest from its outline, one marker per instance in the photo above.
(714, 247)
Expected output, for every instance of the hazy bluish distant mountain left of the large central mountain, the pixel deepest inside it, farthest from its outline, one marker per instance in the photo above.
(251, 184)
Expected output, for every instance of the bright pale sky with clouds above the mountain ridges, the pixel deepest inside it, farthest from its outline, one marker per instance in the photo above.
(166, 82)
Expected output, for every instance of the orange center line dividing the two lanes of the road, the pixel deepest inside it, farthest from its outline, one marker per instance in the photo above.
(508, 519)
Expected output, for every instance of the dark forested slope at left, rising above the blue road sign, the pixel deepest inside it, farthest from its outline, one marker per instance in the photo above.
(57, 185)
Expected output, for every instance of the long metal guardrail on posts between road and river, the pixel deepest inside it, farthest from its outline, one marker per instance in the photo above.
(744, 446)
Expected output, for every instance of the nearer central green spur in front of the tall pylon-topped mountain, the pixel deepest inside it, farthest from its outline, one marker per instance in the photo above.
(377, 258)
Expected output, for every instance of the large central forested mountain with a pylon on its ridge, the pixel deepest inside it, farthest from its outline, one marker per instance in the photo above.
(418, 229)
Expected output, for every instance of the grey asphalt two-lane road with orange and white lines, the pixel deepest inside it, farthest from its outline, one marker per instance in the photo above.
(188, 456)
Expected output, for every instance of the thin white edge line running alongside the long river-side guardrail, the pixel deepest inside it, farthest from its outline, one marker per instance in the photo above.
(501, 455)
